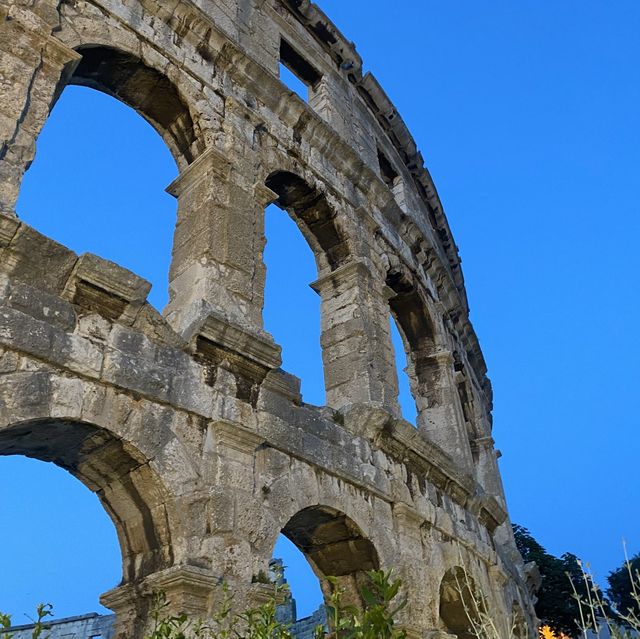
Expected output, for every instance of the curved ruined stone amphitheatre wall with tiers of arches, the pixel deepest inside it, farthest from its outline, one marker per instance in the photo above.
(195, 440)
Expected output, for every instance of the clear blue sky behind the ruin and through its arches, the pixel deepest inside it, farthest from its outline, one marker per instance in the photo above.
(527, 115)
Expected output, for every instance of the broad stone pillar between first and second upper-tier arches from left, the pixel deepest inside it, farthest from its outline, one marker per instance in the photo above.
(218, 242)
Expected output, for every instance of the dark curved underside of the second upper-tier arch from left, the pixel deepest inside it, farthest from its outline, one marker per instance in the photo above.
(317, 220)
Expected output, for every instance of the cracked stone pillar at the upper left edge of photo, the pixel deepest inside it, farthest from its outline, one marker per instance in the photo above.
(34, 69)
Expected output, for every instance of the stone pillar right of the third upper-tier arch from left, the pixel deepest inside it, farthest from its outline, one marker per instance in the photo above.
(440, 416)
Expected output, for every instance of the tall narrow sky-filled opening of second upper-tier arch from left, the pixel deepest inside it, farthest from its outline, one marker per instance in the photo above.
(291, 308)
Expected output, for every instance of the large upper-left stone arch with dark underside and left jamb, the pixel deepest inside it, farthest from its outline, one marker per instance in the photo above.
(108, 60)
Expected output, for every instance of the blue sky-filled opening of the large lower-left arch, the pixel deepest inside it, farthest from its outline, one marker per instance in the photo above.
(58, 544)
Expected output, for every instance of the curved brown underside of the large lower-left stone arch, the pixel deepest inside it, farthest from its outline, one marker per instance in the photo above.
(130, 491)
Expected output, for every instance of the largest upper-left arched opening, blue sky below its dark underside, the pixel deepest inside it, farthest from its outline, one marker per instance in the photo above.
(98, 180)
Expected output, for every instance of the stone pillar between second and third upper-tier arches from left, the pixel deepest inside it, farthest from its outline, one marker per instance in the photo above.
(358, 358)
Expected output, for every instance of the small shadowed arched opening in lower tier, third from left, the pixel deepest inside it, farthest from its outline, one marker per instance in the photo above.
(460, 604)
